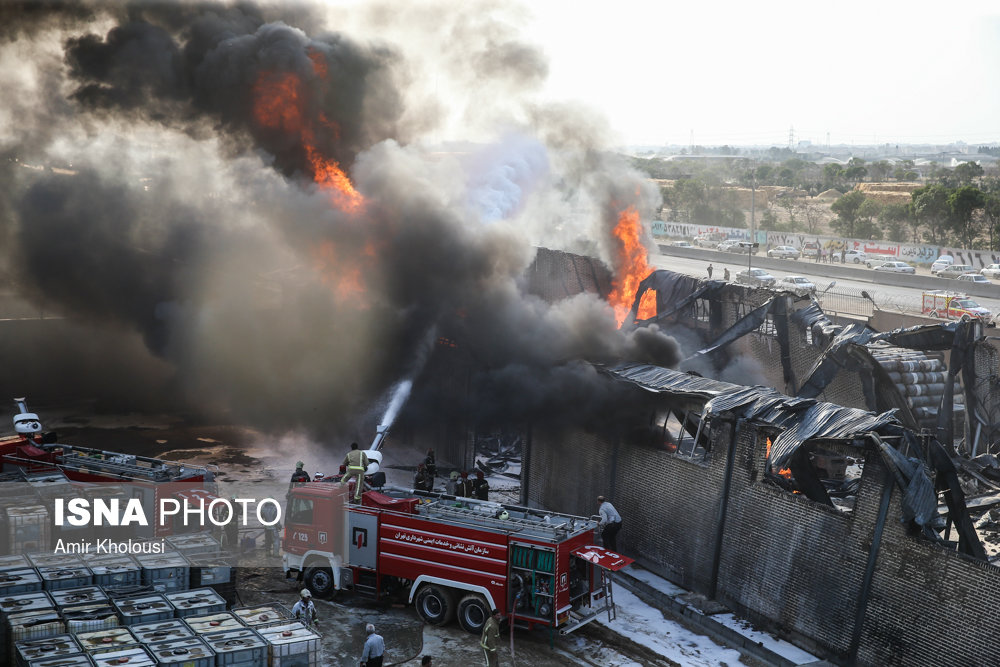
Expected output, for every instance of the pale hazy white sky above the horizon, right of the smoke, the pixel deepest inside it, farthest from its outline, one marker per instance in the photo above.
(732, 72)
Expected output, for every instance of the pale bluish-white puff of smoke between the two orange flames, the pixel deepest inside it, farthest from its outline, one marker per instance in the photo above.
(501, 176)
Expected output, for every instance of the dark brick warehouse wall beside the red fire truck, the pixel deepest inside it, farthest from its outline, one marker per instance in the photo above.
(791, 565)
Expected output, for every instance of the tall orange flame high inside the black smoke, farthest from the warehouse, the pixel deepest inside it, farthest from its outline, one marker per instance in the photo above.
(279, 100)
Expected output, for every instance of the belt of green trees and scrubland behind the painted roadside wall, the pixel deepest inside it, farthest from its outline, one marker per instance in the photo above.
(959, 206)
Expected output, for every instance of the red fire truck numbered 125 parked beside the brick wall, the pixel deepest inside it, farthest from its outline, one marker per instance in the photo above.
(451, 556)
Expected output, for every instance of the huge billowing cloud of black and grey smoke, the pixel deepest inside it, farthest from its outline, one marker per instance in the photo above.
(148, 197)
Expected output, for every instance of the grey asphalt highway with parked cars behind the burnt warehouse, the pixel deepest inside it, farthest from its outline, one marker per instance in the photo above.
(889, 297)
